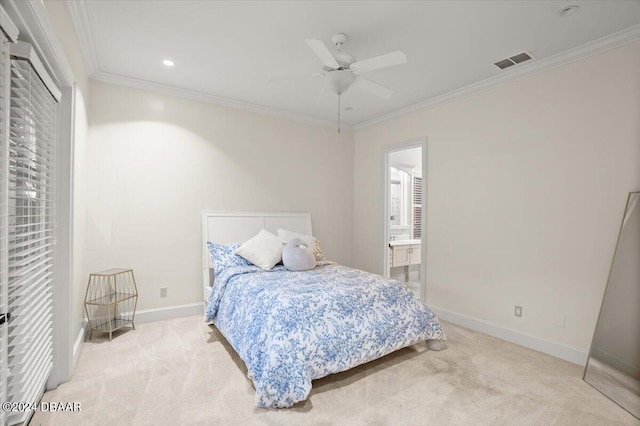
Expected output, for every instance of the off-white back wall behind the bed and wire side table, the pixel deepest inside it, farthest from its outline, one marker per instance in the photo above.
(155, 162)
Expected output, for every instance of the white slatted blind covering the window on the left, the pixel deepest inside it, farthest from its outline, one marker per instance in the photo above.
(31, 236)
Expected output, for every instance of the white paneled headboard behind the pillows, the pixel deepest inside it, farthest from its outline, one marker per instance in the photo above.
(238, 227)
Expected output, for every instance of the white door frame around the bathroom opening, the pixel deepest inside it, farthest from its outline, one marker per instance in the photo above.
(384, 238)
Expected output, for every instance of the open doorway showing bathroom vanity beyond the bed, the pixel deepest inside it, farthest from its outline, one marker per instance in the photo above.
(405, 215)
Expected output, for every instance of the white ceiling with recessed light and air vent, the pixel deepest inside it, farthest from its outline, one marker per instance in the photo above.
(228, 51)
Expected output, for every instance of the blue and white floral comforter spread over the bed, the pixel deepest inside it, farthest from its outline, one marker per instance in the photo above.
(293, 327)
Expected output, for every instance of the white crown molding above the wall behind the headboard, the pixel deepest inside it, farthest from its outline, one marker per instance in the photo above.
(212, 99)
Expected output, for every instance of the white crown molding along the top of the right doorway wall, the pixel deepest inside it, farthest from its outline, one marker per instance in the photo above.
(528, 69)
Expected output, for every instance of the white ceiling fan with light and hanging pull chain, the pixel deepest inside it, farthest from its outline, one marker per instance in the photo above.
(341, 71)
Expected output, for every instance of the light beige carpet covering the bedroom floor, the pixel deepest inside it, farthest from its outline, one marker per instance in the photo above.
(183, 372)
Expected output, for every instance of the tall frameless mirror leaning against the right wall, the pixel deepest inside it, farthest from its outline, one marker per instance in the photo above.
(613, 367)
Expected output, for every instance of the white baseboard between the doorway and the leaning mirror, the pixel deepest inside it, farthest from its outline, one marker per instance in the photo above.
(557, 350)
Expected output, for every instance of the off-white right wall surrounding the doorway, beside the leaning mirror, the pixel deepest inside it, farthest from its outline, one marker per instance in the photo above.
(526, 188)
